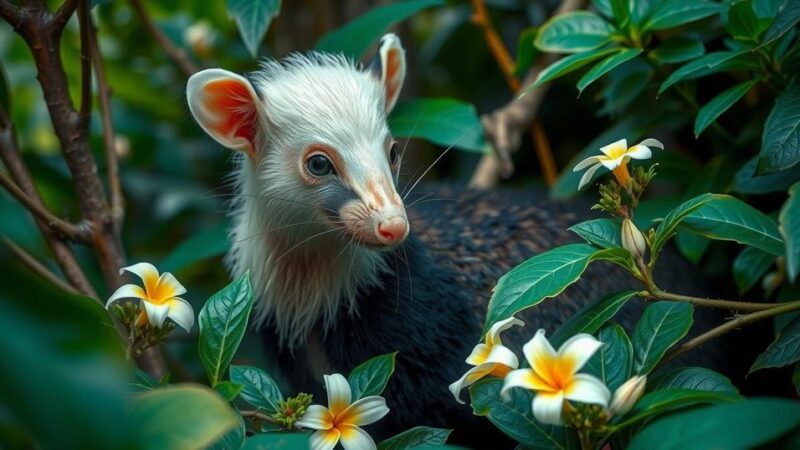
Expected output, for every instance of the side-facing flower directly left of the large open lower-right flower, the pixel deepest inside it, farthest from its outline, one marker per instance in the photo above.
(489, 358)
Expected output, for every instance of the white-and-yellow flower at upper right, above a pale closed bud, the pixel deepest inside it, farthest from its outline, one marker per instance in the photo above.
(615, 158)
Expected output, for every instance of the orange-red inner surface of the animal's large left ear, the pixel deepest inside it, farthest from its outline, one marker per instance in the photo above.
(231, 102)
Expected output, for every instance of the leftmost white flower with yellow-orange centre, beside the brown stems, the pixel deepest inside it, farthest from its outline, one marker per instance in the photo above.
(160, 297)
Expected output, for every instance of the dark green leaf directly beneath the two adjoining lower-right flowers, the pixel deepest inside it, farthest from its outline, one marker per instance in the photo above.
(515, 418)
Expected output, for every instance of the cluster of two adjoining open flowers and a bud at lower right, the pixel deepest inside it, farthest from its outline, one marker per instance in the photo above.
(552, 374)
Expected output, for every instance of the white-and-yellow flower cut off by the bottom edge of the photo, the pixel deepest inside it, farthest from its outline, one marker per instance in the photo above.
(341, 420)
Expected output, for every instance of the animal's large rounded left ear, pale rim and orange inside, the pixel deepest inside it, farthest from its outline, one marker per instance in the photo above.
(226, 106)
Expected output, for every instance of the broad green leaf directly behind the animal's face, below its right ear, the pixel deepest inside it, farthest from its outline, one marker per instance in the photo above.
(443, 121)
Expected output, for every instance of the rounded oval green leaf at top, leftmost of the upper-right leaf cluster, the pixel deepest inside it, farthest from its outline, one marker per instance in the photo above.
(573, 32)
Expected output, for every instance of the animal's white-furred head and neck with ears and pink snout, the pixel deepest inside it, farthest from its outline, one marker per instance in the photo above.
(317, 203)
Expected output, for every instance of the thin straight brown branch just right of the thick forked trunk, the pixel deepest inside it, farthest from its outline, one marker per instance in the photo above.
(109, 139)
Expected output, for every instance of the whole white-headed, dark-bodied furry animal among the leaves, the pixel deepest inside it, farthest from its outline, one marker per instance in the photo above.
(341, 270)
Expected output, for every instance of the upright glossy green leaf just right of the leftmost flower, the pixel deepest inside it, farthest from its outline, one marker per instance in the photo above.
(223, 321)
